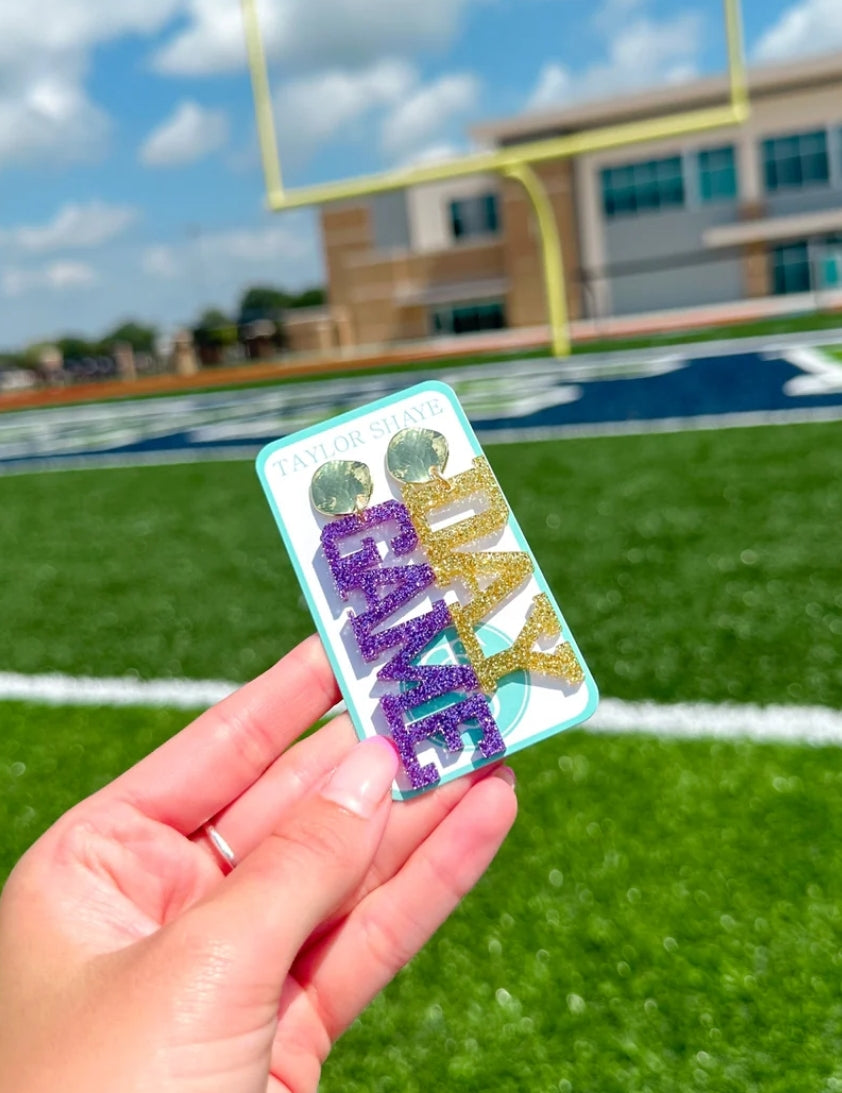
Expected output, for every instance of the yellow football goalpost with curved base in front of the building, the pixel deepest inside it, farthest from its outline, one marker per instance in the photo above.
(516, 162)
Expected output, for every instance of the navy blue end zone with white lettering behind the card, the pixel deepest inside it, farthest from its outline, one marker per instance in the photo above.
(506, 403)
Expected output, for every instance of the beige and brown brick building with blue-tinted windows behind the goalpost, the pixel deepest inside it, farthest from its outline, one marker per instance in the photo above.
(750, 214)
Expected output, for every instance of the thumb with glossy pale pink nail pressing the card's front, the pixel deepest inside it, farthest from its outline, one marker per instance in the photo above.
(266, 910)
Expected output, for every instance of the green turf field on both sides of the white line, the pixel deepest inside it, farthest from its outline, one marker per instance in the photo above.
(666, 915)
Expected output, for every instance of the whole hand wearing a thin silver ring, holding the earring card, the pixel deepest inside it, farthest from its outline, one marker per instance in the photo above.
(131, 962)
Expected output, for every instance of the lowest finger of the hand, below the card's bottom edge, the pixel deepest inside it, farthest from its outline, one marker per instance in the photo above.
(346, 971)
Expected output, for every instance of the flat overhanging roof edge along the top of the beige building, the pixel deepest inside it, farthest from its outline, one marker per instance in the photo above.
(710, 91)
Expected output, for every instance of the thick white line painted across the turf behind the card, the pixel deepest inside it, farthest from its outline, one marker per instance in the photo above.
(798, 725)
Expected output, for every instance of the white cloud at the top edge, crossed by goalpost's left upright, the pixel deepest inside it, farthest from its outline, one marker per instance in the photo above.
(309, 33)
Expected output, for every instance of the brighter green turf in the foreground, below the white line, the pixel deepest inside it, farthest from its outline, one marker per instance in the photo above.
(665, 916)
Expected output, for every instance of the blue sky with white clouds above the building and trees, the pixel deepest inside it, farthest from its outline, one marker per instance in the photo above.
(131, 182)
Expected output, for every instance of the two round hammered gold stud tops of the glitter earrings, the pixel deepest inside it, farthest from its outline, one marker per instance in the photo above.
(344, 487)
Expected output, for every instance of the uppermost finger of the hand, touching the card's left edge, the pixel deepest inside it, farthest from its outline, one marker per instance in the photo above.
(196, 774)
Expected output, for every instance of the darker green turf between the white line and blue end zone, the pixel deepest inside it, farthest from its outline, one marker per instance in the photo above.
(697, 566)
